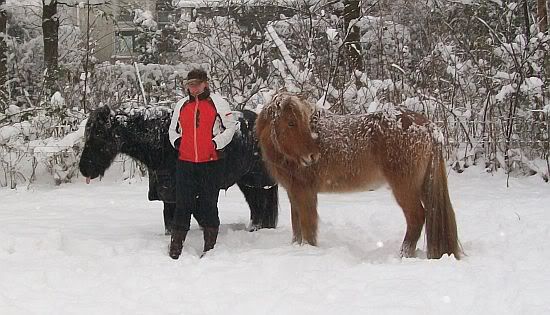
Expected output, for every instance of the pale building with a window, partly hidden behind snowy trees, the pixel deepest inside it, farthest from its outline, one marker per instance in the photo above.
(117, 30)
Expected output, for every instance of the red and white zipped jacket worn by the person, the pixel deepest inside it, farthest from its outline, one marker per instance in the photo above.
(205, 125)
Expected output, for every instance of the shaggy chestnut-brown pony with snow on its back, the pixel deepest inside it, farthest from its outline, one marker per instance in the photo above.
(310, 151)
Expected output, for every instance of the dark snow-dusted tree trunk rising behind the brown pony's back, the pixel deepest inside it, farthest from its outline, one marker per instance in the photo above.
(352, 41)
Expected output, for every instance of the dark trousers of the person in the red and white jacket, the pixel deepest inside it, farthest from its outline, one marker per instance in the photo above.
(197, 190)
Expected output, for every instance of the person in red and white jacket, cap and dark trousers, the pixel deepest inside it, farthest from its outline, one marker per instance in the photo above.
(202, 125)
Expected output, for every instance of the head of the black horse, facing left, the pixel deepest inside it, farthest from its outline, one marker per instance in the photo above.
(101, 144)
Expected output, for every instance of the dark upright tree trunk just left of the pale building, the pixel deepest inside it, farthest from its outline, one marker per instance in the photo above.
(50, 31)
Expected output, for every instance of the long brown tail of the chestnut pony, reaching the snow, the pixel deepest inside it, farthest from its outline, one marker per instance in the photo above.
(441, 231)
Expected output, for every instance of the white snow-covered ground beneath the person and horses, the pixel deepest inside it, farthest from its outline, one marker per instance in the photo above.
(100, 249)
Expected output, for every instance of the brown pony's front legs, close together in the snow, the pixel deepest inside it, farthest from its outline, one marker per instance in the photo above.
(303, 204)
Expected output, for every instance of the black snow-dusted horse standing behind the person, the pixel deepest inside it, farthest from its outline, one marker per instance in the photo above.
(143, 135)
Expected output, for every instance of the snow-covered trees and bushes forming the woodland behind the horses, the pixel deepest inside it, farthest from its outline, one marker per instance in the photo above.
(479, 69)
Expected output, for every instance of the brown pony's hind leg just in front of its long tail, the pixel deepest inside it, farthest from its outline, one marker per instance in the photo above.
(414, 212)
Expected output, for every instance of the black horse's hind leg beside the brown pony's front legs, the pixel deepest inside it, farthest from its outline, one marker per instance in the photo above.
(264, 205)
